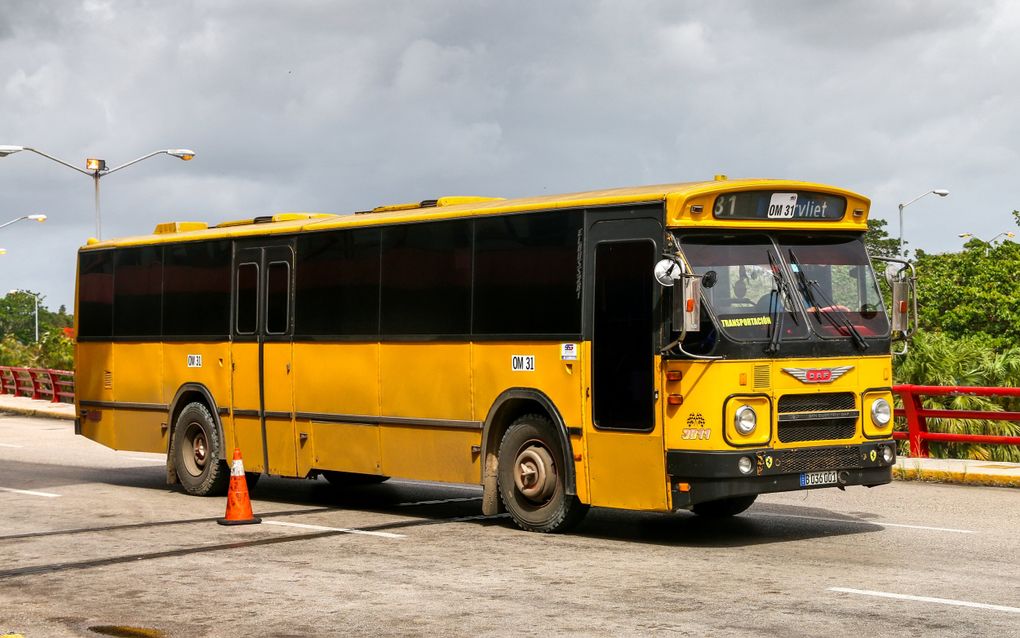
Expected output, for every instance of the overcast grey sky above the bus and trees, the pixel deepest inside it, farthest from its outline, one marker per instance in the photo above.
(338, 107)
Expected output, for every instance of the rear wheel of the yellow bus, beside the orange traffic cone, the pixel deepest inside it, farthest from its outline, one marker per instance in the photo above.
(197, 452)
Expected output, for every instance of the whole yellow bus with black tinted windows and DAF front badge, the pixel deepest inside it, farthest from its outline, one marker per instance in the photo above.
(683, 347)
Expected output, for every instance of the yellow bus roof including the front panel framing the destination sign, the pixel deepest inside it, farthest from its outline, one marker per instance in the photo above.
(688, 205)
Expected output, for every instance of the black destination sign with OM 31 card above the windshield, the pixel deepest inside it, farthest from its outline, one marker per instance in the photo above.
(780, 207)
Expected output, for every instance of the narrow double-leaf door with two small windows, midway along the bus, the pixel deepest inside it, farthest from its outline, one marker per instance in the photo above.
(263, 359)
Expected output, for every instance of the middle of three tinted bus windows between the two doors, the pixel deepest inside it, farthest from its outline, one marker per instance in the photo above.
(427, 279)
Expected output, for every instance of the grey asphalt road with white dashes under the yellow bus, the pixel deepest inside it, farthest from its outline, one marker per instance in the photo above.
(93, 538)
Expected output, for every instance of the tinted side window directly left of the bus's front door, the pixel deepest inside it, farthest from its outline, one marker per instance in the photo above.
(528, 274)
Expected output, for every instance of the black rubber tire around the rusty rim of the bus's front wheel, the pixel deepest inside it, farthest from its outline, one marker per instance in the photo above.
(556, 512)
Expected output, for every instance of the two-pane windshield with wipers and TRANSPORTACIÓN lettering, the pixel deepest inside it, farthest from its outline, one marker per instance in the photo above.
(755, 275)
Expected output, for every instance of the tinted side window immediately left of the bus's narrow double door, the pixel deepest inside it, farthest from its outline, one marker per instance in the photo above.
(197, 289)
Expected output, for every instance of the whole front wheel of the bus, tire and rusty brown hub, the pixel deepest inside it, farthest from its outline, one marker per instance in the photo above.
(532, 481)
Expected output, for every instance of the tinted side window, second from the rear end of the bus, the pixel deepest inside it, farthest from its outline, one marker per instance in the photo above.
(138, 283)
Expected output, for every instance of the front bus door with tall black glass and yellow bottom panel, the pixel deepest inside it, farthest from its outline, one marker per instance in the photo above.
(626, 451)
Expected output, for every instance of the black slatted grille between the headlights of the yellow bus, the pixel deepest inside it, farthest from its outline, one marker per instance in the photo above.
(824, 417)
